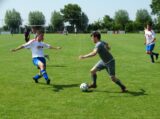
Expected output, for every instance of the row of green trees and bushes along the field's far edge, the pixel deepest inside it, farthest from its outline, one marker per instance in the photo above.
(73, 15)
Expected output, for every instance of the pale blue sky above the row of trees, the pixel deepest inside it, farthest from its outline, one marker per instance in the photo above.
(94, 9)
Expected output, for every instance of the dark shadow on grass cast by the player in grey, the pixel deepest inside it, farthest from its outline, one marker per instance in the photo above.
(141, 92)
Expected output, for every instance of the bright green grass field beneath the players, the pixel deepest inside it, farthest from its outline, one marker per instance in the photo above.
(21, 98)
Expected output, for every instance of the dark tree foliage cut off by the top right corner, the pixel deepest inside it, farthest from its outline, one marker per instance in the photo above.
(155, 6)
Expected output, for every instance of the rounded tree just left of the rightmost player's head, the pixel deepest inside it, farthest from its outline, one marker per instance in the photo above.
(142, 17)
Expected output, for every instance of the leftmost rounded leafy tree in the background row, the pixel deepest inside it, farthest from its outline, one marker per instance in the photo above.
(13, 20)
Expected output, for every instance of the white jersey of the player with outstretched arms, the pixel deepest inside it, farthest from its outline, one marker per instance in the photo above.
(36, 47)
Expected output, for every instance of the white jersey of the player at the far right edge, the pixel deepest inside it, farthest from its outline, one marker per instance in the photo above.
(150, 36)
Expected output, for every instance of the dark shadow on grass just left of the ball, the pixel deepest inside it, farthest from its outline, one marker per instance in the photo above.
(58, 88)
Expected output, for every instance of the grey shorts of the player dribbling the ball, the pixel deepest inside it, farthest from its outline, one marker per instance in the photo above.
(110, 67)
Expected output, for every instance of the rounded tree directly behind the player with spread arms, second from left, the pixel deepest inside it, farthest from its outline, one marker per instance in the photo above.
(36, 18)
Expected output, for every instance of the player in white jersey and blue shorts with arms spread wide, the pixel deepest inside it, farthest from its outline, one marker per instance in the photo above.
(37, 46)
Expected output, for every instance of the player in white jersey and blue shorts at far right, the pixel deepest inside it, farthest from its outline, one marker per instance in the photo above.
(150, 39)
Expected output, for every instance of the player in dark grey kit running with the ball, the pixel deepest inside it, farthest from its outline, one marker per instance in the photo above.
(107, 61)
